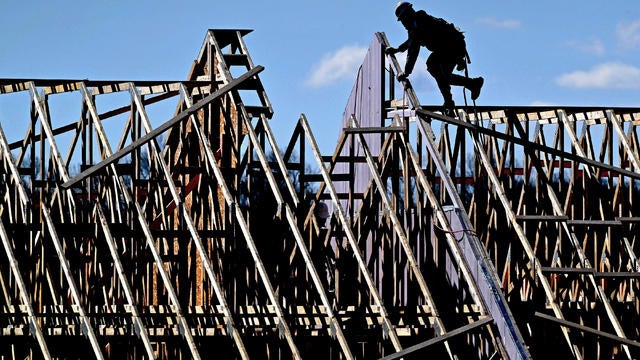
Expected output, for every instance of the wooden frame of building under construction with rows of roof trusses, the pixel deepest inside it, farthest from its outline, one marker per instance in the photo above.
(165, 221)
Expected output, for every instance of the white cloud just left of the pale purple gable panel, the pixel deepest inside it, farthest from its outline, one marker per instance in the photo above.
(339, 65)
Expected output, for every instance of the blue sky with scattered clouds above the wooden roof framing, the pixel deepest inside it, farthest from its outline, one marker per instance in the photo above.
(530, 52)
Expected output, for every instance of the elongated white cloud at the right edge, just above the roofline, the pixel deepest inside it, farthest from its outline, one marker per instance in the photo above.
(603, 76)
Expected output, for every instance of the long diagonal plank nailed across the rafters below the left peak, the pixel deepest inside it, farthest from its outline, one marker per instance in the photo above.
(162, 128)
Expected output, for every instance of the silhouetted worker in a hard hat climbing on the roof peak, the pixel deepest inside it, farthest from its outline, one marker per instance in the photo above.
(448, 50)
